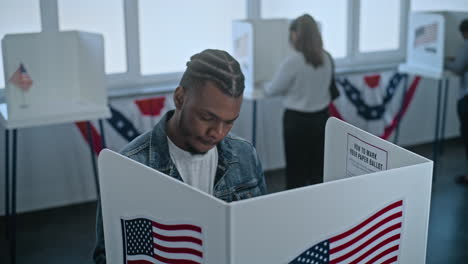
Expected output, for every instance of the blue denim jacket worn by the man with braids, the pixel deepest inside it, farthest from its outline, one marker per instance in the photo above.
(239, 174)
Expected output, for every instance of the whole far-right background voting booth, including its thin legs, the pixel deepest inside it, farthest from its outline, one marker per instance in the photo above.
(433, 37)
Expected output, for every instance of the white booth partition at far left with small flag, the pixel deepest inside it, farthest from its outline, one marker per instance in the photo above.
(67, 74)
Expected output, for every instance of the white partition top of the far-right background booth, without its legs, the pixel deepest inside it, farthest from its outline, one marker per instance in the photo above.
(431, 38)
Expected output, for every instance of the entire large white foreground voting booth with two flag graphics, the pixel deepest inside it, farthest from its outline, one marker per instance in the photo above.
(374, 206)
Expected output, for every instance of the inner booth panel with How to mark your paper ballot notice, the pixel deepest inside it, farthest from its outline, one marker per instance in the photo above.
(362, 153)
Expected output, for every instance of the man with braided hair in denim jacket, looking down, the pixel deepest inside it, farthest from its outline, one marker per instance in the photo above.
(192, 143)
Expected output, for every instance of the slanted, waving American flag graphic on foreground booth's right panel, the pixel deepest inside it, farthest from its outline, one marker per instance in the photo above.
(374, 240)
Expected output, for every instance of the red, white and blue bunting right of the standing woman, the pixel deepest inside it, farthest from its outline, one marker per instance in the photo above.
(375, 103)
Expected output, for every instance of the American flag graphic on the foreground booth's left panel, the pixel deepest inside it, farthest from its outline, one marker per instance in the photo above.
(146, 241)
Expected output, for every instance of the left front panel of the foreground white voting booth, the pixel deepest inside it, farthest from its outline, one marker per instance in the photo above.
(130, 190)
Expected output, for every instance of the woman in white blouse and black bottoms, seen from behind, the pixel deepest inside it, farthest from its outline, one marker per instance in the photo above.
(304, 79)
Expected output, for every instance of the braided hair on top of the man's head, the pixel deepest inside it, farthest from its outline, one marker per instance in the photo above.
(216, 66)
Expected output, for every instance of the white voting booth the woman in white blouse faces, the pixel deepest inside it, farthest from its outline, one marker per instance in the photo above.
(260, 46)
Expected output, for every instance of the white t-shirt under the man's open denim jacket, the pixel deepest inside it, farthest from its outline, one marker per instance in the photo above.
(197, 170)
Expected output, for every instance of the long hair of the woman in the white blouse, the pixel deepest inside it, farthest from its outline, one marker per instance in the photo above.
(308, 39)
